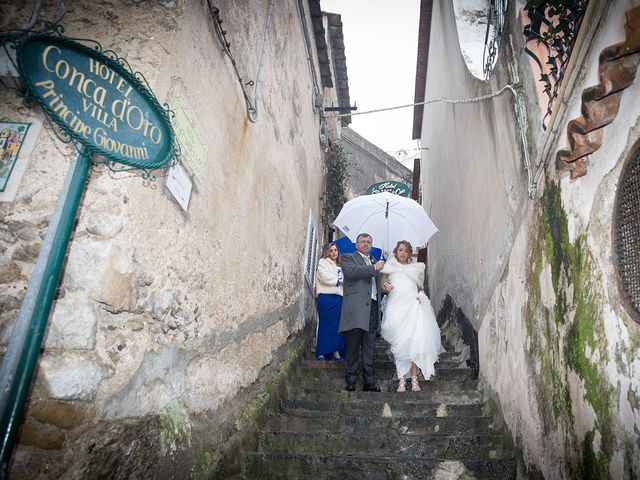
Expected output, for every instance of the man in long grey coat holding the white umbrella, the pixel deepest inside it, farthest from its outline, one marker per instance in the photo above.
(360, 319)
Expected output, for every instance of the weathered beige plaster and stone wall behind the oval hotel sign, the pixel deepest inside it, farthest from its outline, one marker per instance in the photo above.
(161, 311)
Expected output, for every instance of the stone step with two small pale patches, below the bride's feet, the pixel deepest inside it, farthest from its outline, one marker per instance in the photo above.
(375, 408)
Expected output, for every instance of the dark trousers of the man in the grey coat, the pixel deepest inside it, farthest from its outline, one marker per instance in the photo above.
(356, 338)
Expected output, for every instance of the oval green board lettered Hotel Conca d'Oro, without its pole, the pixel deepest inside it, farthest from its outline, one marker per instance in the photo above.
(98, 101)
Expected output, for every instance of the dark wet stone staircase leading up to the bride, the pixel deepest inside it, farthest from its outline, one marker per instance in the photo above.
(319, 430)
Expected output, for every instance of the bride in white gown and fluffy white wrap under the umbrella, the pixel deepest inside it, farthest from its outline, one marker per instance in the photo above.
(409, 323)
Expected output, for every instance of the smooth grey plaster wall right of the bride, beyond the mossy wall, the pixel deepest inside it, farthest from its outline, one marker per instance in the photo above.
(473, 175)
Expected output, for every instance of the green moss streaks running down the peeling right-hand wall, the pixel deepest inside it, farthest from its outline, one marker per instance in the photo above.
(569, 336)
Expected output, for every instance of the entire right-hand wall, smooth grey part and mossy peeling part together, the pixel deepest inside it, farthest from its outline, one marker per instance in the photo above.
(558, 352)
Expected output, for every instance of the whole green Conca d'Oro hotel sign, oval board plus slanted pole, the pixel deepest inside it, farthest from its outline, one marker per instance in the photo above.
(98, 102)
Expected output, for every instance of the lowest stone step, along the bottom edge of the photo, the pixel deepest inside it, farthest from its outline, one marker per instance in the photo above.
(364, 467)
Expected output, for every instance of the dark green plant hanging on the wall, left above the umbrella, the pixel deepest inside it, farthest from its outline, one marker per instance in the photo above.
(336, 177)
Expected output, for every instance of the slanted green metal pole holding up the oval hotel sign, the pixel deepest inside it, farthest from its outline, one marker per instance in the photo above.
(22, 352)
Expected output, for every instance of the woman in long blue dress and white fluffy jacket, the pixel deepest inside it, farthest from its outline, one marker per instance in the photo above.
(330, 344)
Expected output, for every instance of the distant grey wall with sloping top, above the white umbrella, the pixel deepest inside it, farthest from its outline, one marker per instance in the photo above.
(369, 164)
